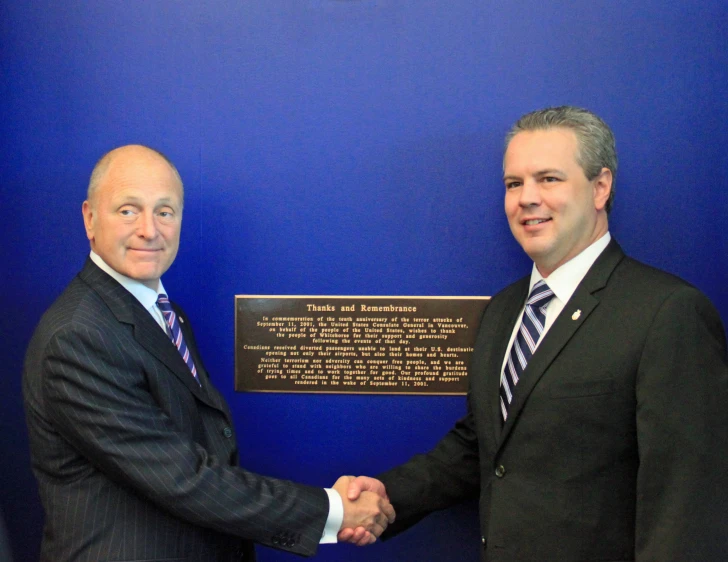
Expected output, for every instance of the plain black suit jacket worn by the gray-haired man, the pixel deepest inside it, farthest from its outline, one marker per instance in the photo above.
(615, 444)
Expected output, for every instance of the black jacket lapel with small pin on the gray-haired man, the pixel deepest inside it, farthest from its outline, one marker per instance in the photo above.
(572, 317)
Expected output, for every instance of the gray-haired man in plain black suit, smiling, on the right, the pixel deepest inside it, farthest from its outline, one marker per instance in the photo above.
(598, 404)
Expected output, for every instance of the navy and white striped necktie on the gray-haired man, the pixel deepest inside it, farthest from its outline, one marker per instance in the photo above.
(532, 323)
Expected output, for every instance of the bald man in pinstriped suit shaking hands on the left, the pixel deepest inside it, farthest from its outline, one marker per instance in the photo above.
(133, 448)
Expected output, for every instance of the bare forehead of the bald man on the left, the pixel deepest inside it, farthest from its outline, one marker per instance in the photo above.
(140, 175)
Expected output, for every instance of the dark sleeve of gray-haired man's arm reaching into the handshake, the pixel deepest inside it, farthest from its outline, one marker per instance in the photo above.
(439, 479)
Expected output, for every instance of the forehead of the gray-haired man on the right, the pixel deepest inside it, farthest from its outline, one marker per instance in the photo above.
(540, 149)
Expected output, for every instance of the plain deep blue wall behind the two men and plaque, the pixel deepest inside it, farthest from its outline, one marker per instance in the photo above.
(342, 147)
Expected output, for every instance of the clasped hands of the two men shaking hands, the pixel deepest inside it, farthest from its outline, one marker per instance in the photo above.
(367, 510)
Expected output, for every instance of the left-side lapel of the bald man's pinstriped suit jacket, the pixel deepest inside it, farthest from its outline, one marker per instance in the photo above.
(145, 329)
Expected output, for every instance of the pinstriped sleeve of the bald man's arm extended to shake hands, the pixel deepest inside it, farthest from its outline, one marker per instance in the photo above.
(98, 400)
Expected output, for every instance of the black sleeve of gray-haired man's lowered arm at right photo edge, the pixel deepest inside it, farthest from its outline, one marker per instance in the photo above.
(682, 432)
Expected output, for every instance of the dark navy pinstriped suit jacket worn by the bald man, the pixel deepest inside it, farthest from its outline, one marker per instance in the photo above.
(134, 460)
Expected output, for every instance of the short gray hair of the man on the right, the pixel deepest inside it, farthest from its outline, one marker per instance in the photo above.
(596, 144)
